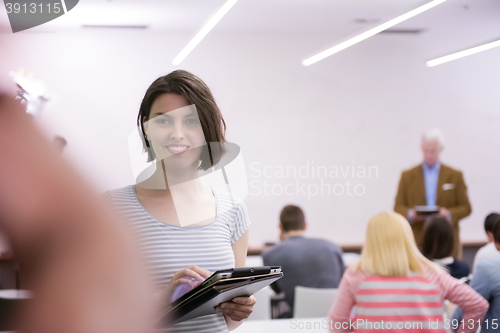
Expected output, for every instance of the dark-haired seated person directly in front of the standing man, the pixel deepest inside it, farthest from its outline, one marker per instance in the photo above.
(438, 246)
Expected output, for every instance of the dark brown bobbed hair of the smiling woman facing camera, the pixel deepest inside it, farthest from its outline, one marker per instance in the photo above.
(196, 92)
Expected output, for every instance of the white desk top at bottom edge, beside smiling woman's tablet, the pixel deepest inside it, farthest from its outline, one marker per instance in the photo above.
(306, 325)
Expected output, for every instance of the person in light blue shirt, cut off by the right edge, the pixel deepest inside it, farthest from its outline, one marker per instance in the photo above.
(486, 281)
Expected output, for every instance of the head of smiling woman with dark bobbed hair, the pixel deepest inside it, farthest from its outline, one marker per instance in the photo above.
(174, 130)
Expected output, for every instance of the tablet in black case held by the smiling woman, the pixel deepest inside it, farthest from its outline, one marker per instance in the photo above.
(221, 286)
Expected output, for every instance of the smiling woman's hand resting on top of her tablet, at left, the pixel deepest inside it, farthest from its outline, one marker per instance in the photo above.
(190, 277)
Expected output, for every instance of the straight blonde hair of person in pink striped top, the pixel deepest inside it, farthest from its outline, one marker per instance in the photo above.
(390, 248)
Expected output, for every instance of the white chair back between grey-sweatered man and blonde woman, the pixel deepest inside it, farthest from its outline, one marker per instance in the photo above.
(313, 302)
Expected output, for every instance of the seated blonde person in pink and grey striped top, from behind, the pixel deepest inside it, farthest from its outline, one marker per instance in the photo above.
(393, 282)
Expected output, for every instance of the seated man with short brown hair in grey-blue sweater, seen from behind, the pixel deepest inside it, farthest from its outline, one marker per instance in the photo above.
(307, 262)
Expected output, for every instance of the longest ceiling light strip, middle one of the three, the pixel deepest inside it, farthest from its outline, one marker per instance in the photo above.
(370, 33)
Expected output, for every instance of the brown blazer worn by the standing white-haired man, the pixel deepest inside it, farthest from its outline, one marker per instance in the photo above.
(411, 193)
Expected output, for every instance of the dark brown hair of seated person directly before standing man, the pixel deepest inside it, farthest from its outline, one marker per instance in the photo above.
(438, 239)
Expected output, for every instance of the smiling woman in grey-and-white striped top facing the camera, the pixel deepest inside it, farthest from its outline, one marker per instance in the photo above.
(188, 230)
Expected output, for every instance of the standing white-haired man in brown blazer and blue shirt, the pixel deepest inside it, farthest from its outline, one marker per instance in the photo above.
(432, 183)
